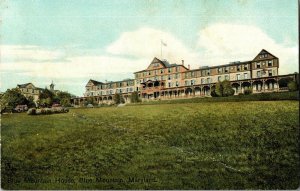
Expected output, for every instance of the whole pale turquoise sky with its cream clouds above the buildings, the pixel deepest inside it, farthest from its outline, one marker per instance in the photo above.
(69, 42)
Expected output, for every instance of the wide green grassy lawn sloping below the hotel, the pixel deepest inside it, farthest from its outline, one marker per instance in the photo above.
(222, 145)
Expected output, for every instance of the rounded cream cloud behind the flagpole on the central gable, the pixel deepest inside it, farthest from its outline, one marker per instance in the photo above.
(146, 43)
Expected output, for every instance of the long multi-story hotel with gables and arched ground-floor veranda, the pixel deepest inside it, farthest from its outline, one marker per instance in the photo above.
(162, 80)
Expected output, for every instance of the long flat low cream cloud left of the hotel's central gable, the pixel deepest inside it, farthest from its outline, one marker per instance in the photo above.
(76, 67)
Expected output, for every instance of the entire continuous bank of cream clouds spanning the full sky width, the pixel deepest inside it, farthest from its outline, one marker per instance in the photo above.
(217, 44)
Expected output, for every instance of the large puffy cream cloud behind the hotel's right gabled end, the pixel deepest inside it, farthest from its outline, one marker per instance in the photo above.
(222, 43)
